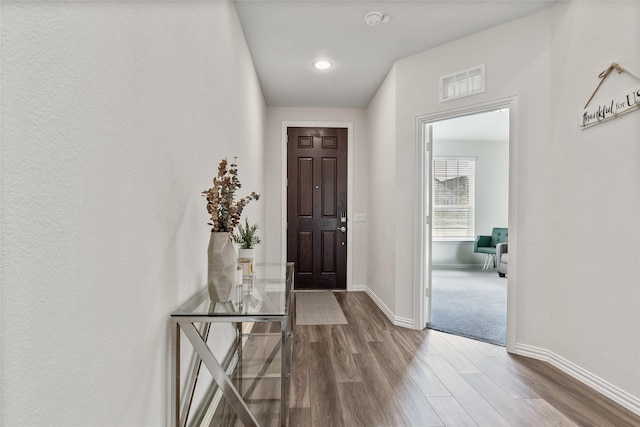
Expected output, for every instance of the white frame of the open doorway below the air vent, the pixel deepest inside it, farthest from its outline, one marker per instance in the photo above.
(423, 268)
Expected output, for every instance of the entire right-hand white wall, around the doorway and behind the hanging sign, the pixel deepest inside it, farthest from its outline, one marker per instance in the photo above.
(577, 302)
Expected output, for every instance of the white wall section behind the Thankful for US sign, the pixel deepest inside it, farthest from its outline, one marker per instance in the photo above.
(593, 297)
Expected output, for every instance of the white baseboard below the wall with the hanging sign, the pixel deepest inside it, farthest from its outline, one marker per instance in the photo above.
(614, 393)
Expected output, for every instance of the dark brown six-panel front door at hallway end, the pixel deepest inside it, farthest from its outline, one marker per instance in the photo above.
(317, 206)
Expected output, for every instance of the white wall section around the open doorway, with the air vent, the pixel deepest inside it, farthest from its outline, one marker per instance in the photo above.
(511, 70)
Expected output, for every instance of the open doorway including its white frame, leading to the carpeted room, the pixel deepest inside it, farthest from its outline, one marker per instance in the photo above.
(468, 176)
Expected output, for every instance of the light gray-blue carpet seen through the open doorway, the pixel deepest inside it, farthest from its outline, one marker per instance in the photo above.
(471, 303)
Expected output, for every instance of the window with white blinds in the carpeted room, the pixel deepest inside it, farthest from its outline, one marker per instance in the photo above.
(453, 198)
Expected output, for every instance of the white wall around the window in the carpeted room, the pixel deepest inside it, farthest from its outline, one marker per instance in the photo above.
(491, 196)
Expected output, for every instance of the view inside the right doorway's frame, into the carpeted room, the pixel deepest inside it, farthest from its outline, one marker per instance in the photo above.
(470, 198)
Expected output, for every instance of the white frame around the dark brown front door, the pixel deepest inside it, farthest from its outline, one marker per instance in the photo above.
(283, 220)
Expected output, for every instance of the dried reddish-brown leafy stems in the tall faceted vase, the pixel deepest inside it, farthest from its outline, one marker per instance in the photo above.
(224, 210)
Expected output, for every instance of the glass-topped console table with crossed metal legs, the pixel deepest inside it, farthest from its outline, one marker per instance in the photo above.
(248, 384)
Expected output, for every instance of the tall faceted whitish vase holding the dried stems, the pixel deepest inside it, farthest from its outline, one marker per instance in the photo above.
(223, 264)
